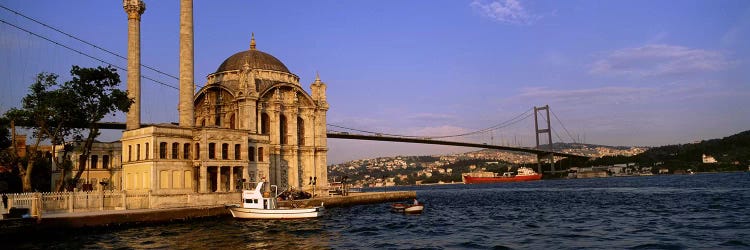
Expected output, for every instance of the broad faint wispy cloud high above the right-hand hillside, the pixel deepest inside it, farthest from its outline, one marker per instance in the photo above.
(659, 59)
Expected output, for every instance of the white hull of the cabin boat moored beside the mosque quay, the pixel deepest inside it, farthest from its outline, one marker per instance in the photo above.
(291, 213)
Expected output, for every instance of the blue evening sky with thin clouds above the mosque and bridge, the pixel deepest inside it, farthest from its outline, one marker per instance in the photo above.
(643, 73)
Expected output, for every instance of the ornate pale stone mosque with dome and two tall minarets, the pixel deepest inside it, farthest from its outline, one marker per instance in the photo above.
(251, 121)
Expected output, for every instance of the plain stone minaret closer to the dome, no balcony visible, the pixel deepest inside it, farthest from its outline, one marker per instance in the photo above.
(187, 88)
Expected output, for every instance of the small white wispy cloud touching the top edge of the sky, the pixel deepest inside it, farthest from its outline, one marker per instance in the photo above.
(506, 11)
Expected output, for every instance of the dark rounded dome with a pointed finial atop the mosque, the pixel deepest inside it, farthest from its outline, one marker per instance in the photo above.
(256, 59)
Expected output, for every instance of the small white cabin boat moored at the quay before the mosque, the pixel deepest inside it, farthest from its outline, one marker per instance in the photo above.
(256, 206)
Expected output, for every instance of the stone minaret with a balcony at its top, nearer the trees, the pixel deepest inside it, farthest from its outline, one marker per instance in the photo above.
(134, 9)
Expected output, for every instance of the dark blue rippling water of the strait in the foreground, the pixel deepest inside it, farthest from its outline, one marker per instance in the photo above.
(658, 212)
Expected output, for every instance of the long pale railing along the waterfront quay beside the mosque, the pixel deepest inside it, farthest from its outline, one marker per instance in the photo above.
(72, 202)
